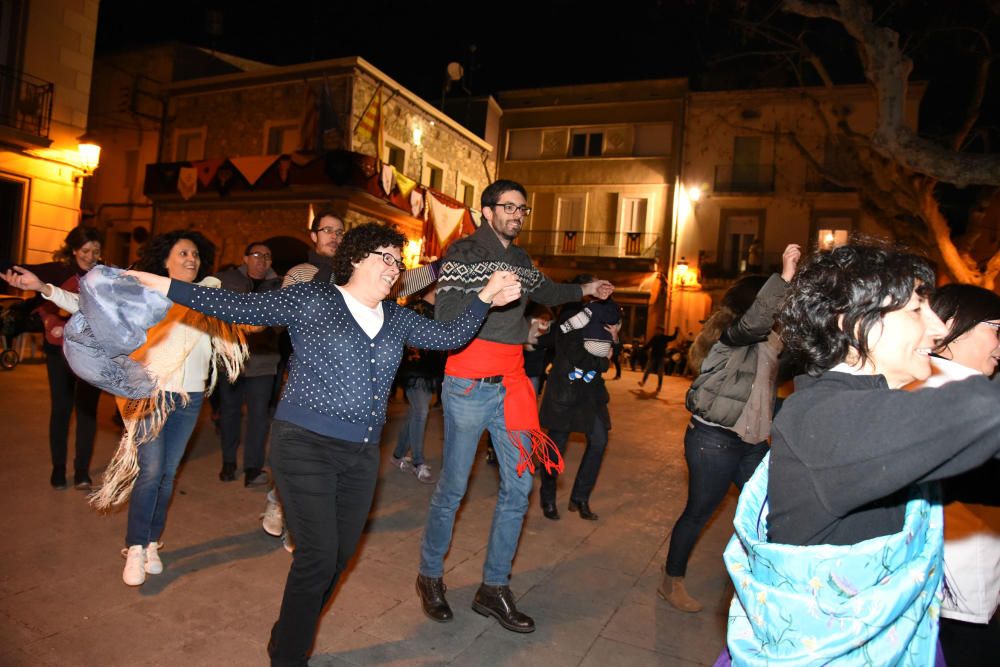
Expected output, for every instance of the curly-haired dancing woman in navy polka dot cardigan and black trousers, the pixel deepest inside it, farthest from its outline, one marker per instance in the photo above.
(348, 342)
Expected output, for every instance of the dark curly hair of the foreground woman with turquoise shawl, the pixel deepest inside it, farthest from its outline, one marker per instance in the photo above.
(859, 283)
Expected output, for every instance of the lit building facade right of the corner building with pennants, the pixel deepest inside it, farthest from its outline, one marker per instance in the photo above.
(600, 163)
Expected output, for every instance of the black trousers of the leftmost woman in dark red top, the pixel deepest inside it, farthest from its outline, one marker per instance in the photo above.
(66, 391)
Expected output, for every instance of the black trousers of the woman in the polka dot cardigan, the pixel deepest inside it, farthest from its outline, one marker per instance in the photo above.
(326, 487)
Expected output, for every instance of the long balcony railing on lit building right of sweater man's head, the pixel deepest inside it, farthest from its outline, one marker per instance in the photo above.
(540, 242)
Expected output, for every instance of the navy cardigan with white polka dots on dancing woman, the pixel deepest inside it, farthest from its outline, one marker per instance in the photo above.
(339, 378)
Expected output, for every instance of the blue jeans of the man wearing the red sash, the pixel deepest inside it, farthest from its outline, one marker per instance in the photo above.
(471, 406)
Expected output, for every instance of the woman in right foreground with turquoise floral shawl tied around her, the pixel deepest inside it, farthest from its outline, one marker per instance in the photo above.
(837, 552)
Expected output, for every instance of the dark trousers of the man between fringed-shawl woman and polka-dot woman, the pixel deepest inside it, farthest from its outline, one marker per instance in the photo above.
(256, 393)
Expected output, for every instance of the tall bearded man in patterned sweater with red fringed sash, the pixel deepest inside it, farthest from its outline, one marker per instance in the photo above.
(485, 387)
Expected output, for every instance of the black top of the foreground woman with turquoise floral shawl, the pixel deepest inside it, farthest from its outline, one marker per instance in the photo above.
(845, 448)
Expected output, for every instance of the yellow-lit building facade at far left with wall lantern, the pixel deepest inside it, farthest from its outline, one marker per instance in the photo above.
(46, 54)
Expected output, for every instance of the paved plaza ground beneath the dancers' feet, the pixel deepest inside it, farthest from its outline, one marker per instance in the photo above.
(591, 586)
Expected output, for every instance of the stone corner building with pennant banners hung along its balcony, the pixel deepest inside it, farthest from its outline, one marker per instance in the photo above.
(297, 130)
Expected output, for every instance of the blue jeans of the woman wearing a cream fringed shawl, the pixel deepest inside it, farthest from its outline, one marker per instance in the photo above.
(158, 461)
